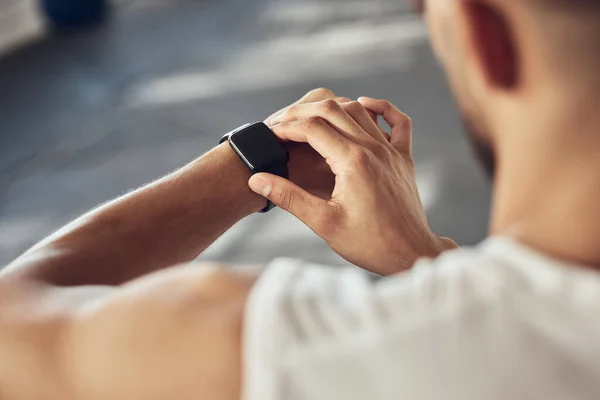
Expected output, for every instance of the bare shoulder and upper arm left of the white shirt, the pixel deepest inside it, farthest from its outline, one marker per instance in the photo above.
(172, 334)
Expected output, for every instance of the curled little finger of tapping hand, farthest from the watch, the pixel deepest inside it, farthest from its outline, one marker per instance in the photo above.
(401, 124)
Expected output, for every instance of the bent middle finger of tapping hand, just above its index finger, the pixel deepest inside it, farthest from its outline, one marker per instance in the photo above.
(332, 112)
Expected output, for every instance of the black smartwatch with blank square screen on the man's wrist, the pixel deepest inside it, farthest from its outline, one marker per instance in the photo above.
(260, 150)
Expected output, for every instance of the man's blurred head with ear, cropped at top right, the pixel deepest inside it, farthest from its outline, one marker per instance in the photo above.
(509, 62)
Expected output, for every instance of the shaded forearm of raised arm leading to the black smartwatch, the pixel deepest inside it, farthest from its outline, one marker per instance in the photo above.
(168, 222)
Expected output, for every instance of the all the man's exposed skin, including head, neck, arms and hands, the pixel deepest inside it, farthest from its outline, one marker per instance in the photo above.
(78, 321)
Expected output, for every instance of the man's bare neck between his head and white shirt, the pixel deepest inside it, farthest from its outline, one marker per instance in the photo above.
(547, 189)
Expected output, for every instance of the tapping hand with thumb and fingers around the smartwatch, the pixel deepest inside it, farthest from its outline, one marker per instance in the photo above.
(374, 218)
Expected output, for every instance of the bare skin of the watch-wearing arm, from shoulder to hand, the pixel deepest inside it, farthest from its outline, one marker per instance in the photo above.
(97, 311)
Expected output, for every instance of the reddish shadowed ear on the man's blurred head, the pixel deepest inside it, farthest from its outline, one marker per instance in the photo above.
(492, 42)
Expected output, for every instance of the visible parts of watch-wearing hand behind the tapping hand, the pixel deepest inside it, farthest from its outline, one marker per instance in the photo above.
(306, 167)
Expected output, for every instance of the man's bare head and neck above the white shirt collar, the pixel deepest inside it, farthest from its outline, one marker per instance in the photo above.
(525, 76)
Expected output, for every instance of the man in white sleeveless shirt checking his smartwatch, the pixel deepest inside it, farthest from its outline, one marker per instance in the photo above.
(512, 318)
